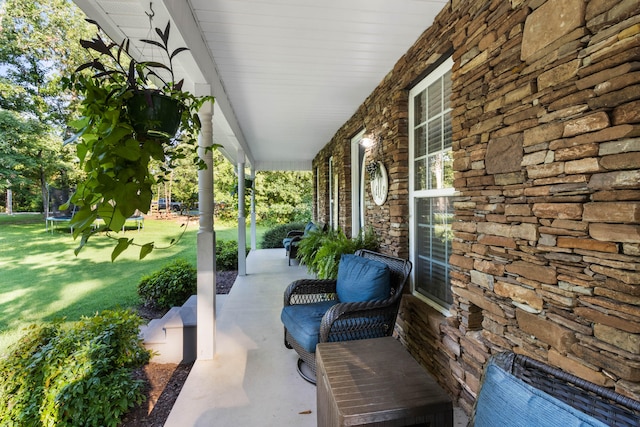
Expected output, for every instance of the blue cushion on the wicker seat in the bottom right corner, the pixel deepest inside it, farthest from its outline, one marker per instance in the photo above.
(505, 400)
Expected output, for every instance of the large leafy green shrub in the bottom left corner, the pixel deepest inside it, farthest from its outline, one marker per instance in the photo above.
(77, 375)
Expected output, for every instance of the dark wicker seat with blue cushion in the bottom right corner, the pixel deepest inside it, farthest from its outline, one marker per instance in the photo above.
(520, 391)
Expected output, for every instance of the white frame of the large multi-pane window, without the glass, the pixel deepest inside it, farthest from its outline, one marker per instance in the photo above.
(436, 74)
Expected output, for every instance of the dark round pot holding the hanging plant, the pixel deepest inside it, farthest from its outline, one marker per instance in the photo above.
(154, 114)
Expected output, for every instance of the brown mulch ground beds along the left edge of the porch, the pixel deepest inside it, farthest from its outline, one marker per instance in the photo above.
(163, 382)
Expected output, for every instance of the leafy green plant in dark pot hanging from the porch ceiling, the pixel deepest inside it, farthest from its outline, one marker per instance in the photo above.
(121, 132)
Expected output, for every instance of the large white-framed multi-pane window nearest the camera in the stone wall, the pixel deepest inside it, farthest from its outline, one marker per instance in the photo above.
(431, 186)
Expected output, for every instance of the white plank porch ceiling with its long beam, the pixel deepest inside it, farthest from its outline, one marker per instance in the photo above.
(286, 74)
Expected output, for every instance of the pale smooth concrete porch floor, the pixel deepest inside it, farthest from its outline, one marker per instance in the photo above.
(252, 381)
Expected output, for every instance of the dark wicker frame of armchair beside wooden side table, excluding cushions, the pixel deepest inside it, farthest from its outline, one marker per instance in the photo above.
(346, 321)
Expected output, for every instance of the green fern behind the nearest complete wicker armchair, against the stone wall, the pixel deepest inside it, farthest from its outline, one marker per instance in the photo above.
(321, 250)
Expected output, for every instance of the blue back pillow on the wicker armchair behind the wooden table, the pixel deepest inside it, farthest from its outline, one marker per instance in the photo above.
(362, 279)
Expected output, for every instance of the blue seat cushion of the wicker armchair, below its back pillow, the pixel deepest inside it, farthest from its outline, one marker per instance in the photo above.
(303, 322)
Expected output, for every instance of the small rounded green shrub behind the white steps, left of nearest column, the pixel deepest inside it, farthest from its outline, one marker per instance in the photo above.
(170, 286)
